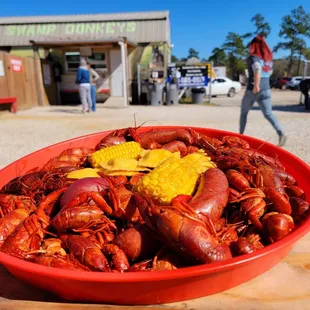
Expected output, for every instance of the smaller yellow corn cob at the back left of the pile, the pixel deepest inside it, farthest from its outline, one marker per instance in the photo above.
(123, 150)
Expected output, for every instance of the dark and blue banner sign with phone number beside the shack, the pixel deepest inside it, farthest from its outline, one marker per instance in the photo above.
(190, 75)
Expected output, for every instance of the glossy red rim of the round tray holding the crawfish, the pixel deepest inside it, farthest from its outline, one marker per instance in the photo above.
(18, 264)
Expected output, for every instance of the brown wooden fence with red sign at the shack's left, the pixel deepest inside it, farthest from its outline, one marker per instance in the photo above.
(18, 79)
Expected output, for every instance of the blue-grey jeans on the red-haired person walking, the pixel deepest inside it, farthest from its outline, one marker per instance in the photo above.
(263, 98)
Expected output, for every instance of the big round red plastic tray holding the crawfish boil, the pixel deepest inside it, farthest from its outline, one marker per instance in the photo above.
(154, 287)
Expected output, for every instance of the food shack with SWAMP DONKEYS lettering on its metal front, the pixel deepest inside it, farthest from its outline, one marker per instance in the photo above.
(113, 43)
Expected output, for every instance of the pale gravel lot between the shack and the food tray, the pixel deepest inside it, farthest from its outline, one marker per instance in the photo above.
(33, 129)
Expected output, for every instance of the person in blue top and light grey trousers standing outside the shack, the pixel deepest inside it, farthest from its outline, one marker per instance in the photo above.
(83, 79)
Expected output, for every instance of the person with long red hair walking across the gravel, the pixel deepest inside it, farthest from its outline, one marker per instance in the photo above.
(260, 66)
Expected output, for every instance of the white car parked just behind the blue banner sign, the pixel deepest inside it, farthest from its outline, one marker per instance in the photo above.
(223, 86)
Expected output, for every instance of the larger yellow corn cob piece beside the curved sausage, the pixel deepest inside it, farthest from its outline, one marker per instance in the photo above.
(172, 177)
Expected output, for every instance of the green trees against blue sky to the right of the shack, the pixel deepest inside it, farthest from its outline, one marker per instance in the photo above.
(295, 29)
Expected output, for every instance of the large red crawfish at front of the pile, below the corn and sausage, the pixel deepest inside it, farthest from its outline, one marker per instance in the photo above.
(188, 237)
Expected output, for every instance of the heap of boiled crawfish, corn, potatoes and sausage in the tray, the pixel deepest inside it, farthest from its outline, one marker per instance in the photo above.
(148, 201)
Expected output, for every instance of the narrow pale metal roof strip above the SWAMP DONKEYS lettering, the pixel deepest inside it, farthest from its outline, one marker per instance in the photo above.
(154, 15)
